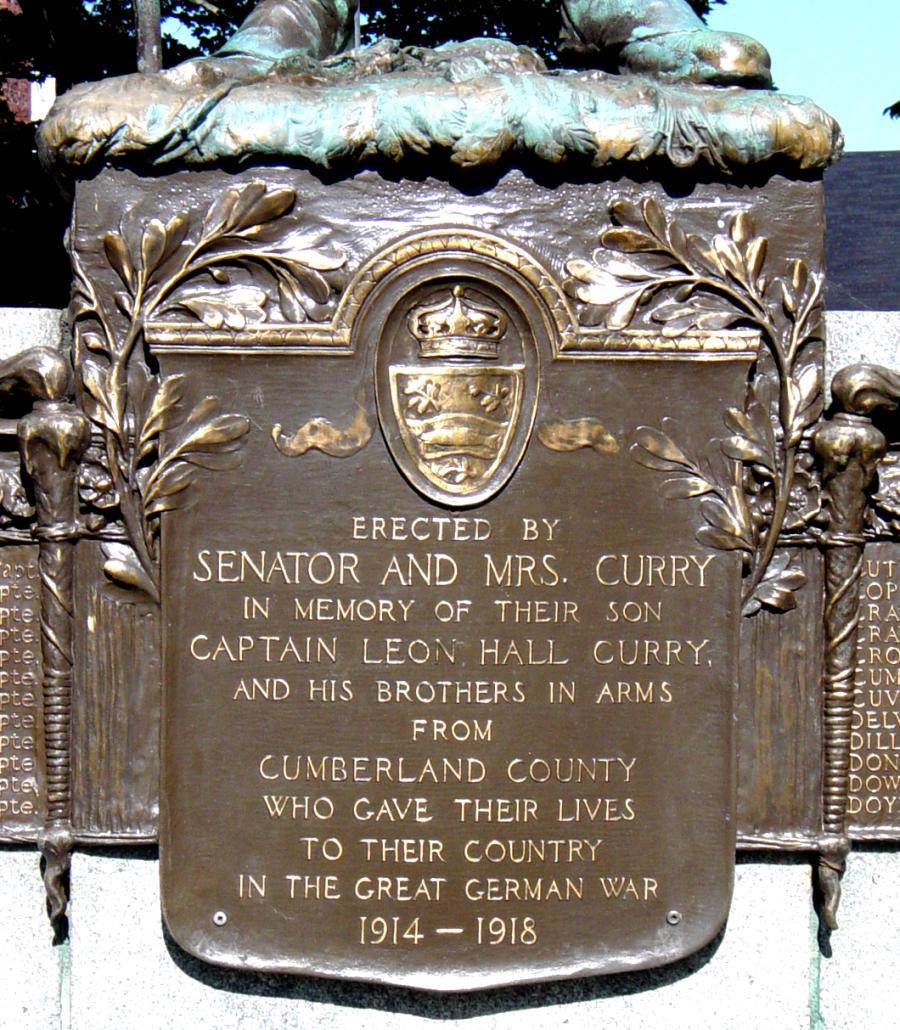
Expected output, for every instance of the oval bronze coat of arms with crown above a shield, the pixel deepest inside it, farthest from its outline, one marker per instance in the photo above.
(458, 385)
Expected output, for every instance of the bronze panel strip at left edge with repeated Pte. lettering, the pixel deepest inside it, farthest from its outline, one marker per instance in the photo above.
(21, 805)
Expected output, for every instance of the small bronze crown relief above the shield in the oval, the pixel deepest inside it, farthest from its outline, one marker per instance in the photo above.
(459, 327)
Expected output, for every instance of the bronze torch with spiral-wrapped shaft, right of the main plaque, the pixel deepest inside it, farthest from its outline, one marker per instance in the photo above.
(849, 449)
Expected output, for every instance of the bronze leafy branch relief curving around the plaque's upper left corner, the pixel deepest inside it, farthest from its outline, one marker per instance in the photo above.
(162, 271)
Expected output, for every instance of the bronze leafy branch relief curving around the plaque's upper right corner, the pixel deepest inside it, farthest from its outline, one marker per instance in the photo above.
(648, 260)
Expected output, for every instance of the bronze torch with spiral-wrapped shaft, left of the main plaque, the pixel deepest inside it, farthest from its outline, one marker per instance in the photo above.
(52, 439)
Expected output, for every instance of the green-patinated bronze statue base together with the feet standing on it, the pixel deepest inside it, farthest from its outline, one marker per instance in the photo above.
(280, 90)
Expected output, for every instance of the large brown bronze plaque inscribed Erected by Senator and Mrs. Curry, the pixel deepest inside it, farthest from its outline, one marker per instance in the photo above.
(449, 683)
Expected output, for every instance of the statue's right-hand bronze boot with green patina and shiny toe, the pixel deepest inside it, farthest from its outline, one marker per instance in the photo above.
(664, 39)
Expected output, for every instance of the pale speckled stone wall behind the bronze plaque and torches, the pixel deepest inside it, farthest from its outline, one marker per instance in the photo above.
(769, 970)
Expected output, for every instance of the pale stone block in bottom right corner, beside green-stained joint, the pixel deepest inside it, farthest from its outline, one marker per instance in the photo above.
(858, 981)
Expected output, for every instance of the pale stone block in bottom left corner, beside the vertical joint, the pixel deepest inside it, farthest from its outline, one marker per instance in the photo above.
(31, 969)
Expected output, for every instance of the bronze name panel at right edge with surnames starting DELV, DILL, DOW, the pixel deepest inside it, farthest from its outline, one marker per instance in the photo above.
(874, 805)
